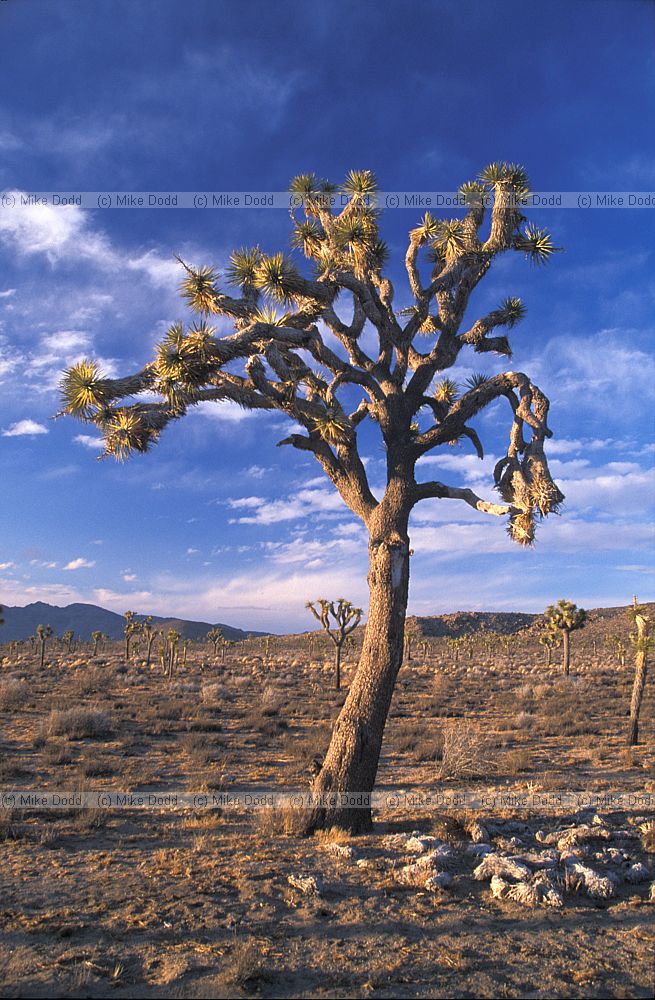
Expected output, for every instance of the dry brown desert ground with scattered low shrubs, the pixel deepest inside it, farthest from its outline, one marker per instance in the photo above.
(437, 902)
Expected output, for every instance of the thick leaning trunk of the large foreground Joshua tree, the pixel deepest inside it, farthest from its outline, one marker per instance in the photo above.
(351, 762)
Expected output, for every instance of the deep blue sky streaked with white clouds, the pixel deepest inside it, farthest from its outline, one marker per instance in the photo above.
(216, 523)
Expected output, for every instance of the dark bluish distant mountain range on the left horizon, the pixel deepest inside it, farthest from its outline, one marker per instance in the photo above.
(83, 619)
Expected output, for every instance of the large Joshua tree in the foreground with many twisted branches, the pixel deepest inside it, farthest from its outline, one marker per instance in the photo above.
(280, 361)
